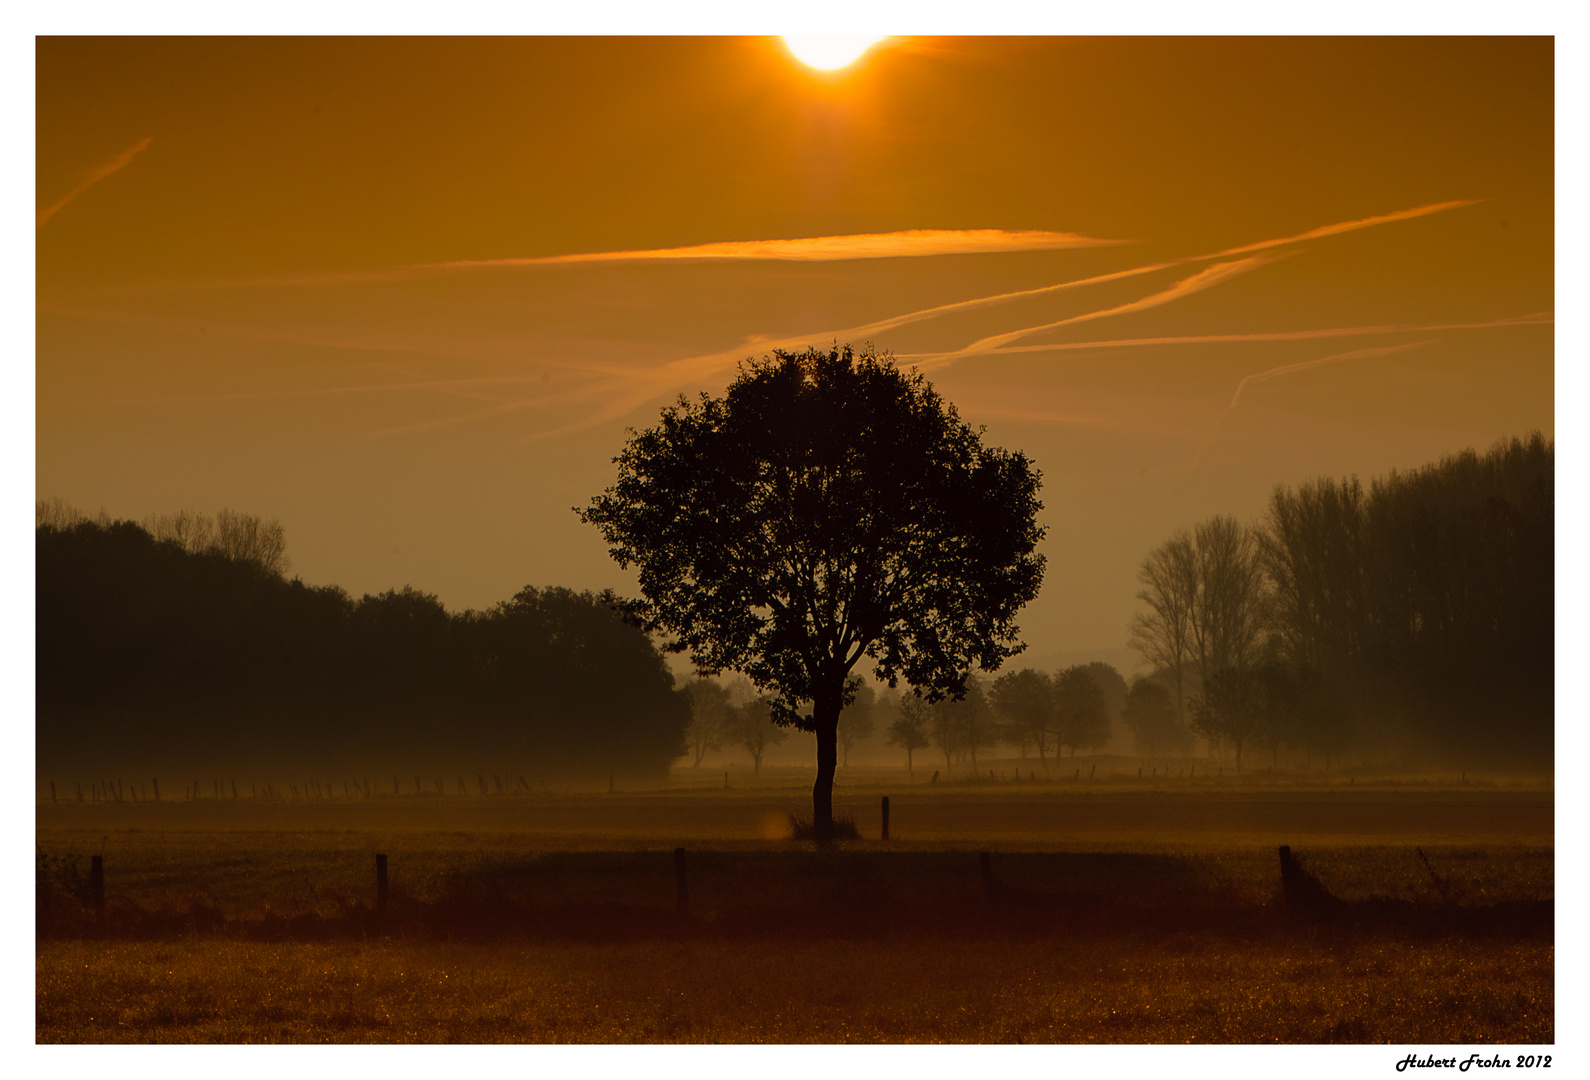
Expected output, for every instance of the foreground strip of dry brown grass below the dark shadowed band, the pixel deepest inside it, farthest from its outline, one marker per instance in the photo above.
(1187, 989)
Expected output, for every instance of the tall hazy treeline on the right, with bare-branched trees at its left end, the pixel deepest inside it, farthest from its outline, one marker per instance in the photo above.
(1411, 620)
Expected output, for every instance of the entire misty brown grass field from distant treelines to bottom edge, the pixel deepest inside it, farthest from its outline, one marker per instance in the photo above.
(1117, 914)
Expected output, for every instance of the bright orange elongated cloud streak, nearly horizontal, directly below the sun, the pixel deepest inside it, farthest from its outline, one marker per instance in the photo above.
(863, 246)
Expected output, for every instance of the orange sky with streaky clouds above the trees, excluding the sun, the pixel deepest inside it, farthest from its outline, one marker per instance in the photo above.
(408, 295)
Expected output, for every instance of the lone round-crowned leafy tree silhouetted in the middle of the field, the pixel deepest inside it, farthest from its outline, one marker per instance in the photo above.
(826, 508)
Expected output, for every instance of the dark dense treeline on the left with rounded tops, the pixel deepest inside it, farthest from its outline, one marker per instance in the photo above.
(182, 643)
